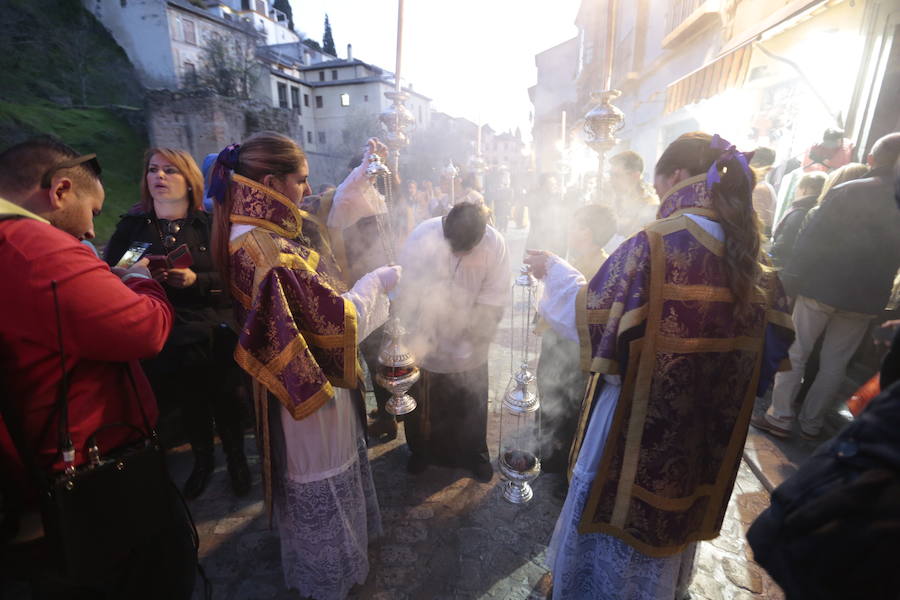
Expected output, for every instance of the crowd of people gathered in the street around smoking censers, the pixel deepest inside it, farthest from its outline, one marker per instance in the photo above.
(239, 298)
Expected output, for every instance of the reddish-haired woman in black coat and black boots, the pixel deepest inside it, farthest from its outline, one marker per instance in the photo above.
(196, 368)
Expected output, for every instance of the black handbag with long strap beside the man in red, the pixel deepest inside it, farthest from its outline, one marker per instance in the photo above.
(97, 516)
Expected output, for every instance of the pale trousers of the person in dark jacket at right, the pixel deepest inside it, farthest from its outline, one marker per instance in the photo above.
(843, 331)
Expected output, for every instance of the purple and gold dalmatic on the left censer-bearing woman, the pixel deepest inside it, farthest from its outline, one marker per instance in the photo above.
(298, 334)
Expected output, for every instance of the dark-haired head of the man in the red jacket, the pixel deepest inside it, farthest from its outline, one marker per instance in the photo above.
(34, 175)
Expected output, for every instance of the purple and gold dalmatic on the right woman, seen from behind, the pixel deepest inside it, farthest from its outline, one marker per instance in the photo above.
(660, 314)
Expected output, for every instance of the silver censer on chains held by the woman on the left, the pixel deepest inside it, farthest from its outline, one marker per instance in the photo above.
(397, 370)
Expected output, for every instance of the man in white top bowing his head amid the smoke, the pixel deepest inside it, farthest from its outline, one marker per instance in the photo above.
(455, 286)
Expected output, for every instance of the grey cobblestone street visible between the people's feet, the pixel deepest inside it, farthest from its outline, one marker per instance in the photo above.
(446, 536)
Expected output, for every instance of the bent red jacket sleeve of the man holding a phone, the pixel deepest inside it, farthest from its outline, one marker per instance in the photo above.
(102, 318)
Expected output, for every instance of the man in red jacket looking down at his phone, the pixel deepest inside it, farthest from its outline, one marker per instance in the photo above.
(109, 319)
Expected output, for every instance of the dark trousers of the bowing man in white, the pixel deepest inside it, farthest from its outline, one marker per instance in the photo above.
(449, 426)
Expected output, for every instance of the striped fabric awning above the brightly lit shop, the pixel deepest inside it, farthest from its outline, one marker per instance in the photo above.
(723, 73)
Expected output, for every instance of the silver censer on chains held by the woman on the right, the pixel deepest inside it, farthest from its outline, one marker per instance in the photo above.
(520, 420)
